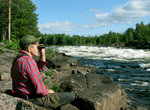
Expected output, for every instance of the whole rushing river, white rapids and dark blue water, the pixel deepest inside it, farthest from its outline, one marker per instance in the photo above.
(128, 67)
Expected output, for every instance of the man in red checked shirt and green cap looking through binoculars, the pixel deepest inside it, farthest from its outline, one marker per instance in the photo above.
(27, 80)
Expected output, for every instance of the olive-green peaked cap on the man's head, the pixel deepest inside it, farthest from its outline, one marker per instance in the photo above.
(25, 41)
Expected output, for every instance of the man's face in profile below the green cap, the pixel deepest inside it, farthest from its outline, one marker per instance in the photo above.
(34, 50)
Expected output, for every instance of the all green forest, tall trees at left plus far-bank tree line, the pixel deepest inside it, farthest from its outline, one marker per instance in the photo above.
(24, 21)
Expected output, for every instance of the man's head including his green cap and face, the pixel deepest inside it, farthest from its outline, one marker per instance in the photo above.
(30, 43)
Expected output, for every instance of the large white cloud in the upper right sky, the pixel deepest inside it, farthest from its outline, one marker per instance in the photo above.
(131, 11)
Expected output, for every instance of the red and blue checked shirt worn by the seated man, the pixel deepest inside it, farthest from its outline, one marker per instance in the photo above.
(26, 77)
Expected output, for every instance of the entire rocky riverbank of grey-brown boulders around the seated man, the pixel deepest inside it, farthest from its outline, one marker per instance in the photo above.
(93, 90)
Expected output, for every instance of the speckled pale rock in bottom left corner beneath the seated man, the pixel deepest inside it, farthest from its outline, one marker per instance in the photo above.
(13, 103)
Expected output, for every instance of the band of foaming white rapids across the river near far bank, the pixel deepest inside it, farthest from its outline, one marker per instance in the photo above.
(107, 53)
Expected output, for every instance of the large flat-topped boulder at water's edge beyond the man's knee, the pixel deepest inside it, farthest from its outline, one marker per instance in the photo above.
(95, 92)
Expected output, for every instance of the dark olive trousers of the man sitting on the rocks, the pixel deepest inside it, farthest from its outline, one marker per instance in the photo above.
(54, 100)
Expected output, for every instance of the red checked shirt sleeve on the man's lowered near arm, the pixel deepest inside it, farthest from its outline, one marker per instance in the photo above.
(35, 77)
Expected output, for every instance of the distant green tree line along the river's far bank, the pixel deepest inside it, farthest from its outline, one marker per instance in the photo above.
(141, 34)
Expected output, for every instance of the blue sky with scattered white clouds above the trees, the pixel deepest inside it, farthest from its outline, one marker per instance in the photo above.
(90, 17)
